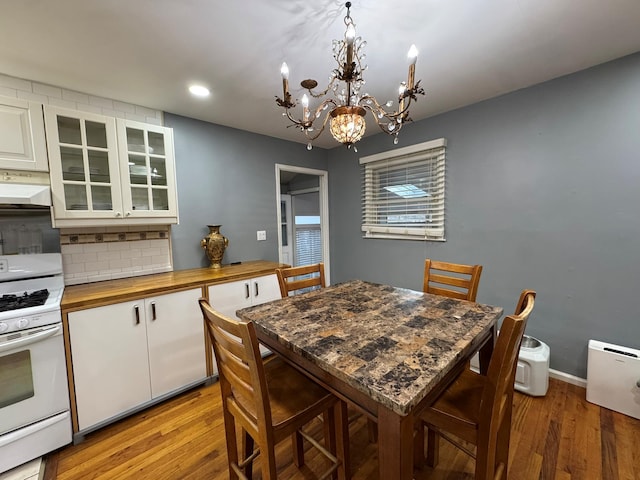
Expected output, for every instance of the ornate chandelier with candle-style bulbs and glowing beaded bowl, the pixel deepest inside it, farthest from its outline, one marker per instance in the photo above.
(345, 107)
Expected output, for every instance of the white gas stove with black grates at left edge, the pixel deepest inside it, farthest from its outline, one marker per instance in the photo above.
(34, 398)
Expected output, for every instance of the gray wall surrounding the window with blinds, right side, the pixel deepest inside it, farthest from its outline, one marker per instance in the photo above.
(543, 190)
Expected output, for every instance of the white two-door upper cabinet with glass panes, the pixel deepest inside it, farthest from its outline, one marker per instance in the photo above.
(106, 171)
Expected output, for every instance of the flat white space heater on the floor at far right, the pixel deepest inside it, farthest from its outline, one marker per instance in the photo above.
(613, 377)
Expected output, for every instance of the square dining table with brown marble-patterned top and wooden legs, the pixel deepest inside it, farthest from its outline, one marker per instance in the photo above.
(387, 351)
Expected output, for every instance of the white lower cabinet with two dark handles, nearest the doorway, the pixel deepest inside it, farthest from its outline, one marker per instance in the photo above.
(226, 298)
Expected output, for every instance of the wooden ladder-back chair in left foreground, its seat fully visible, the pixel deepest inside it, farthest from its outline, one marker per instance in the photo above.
(270, 401)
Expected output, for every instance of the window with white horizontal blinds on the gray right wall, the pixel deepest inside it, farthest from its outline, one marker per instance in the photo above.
(403, 192)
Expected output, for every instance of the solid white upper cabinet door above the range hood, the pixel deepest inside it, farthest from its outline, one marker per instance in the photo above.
(22, 140)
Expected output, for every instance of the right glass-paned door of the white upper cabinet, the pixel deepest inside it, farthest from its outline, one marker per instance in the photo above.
(147, 169)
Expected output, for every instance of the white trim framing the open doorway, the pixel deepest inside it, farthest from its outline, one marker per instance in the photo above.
(323, 177)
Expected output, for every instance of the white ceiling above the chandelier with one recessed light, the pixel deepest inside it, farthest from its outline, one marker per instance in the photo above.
(147, 52)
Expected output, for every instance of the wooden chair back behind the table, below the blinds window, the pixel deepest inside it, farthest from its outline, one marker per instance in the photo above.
(454, 280)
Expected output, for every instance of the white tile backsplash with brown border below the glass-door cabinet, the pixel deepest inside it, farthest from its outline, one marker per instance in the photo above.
(106, 253)
